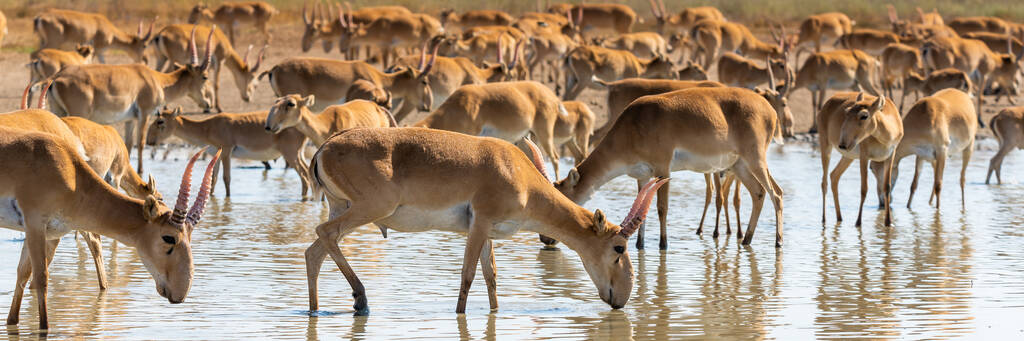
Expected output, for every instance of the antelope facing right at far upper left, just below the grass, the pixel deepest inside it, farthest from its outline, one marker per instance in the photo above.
(57, 28)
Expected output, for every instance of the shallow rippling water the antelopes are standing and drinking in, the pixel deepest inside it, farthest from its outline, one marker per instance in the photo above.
(933, 276)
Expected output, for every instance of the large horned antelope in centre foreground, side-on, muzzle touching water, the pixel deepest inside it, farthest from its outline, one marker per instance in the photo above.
(406, 185)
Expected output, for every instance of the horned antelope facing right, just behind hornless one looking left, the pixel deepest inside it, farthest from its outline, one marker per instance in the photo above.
(330, 80)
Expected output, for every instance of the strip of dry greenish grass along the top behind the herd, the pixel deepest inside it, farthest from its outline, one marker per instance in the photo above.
(755, 13)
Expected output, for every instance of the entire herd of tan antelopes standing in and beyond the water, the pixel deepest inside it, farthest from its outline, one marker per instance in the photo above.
(481, 74)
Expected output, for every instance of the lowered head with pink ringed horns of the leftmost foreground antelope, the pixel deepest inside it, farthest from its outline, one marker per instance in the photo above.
(164, 243)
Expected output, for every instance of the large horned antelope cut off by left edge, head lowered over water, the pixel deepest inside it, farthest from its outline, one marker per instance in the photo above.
(50, 190)
